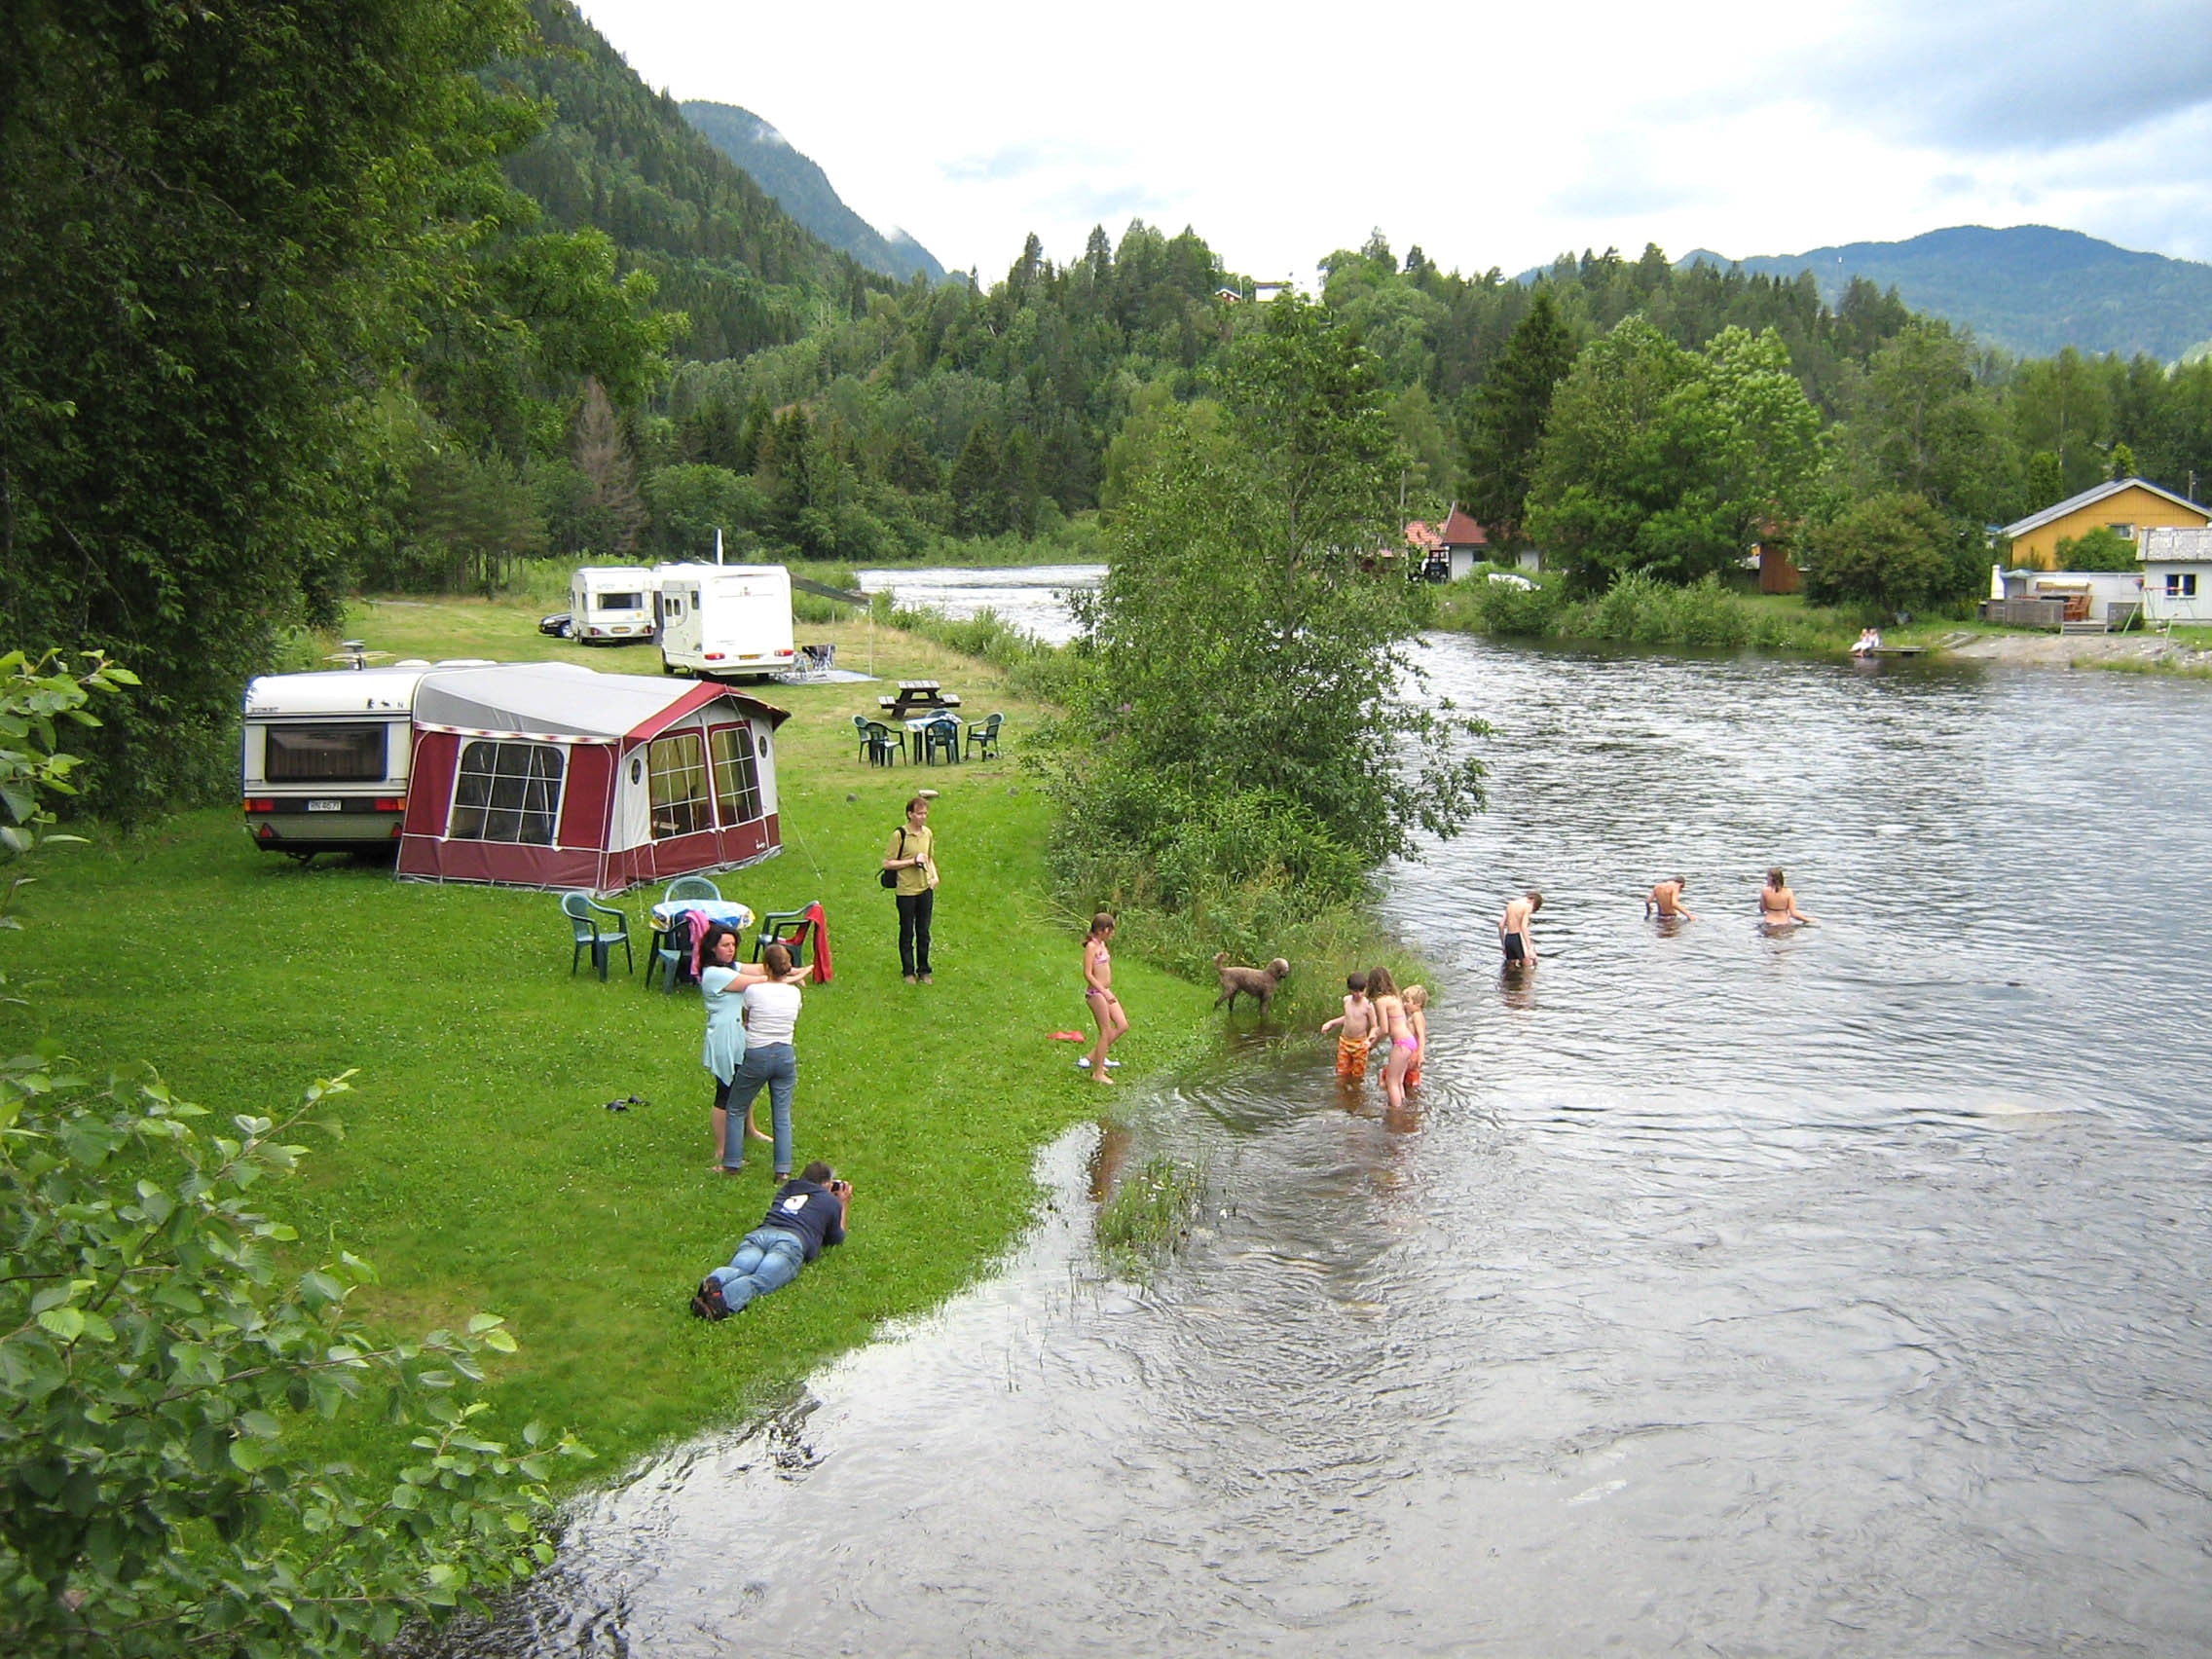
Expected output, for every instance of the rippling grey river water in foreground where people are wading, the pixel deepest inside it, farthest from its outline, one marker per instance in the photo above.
(1731, 1295)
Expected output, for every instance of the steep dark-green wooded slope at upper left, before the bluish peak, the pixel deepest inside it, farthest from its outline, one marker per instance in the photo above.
(620, 158)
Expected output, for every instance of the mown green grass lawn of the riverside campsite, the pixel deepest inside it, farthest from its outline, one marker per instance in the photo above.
(479, 1169)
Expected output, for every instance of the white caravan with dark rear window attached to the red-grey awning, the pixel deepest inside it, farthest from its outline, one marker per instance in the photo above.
(324, 758)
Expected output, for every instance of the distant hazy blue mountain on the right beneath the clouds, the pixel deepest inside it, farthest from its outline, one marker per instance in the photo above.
(2030, 289)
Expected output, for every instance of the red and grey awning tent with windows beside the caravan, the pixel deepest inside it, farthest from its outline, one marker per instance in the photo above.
(550, 775)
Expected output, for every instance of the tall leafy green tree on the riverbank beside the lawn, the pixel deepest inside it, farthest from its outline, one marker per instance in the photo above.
(1242, 711)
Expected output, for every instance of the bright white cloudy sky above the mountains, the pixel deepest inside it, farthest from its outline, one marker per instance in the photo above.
(1485, 134)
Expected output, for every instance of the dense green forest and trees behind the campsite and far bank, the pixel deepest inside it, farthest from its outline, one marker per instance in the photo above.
(410, 304)
